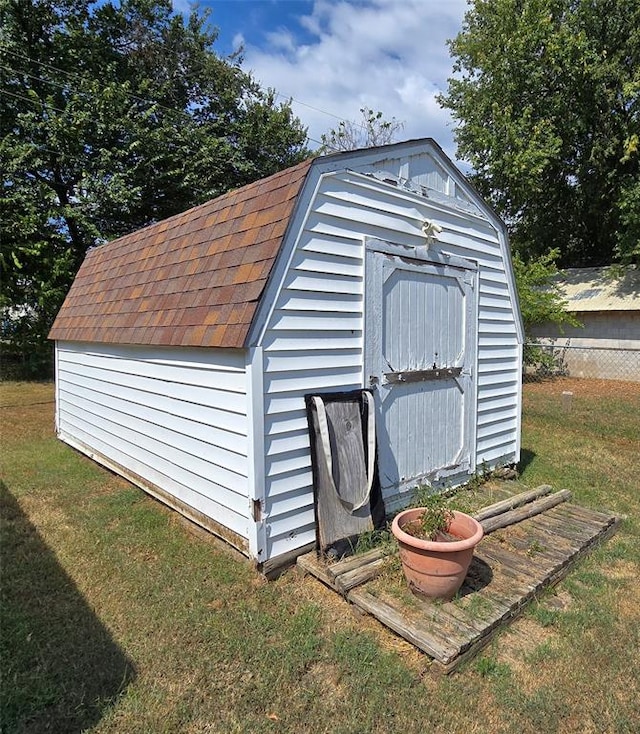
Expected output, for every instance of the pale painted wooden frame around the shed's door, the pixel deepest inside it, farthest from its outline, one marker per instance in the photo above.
(375, 252)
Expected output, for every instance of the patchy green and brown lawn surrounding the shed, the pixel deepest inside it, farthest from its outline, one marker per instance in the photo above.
(116, 618)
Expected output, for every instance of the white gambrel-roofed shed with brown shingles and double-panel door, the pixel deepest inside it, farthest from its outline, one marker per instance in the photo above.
(184, 350)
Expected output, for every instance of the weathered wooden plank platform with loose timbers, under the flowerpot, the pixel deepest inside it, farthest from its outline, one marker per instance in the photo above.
(511, 566)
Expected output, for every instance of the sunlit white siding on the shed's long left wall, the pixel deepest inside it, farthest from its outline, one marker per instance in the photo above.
(176, 418)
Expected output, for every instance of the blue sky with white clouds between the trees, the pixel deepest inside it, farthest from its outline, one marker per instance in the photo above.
(333, 57)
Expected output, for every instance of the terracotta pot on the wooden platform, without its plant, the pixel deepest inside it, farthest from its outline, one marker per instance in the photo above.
(432, 567)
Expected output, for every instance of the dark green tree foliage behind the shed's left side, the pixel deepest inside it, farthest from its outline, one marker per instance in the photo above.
(114, 115)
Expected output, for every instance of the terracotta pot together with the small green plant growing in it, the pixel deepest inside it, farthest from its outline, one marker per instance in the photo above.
(436, 546)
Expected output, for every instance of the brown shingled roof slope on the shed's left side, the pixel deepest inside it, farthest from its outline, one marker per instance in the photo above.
(192, 280)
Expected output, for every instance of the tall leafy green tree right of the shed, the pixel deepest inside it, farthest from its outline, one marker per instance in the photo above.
(546, 94)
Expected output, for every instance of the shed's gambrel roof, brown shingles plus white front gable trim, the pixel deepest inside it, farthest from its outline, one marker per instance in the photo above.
(199, 278)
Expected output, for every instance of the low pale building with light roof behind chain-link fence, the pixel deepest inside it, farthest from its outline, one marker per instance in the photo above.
(606, 301)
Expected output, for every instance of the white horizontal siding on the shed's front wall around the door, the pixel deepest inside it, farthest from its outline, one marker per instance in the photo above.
(313, 339)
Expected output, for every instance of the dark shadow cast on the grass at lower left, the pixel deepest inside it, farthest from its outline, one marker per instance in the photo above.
(61, 669)
